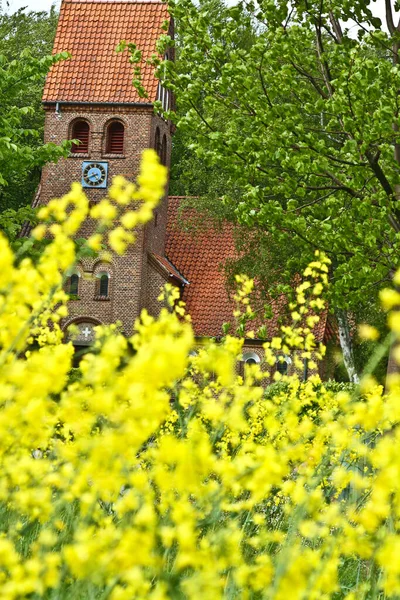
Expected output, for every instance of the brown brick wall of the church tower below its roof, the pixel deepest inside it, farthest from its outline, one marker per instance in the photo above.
(132, 284)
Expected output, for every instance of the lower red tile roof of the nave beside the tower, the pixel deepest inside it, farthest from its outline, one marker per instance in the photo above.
(200, 254)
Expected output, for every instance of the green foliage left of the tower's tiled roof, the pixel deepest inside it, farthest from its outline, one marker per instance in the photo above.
(25, 57)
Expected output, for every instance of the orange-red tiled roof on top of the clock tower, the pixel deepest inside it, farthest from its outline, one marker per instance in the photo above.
(90, 30)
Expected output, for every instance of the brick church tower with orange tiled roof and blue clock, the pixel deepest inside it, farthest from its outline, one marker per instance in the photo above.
(90, 97)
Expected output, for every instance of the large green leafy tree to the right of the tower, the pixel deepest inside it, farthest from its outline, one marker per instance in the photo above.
(305, 119)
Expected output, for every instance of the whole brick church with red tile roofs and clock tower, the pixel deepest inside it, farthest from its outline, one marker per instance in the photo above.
(90, 98)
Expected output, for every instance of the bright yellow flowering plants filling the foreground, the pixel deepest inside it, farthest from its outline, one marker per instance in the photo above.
(156, 474)
